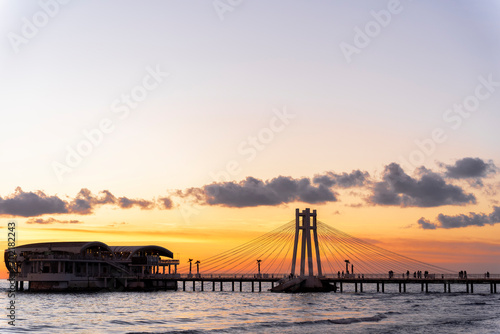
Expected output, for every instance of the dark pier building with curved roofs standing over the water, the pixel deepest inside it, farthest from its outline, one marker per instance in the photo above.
(91, 265)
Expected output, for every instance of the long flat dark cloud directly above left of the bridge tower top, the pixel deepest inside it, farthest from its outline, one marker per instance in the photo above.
(255, 192)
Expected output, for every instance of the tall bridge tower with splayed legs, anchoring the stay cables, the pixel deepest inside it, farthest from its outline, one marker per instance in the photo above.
(306, 222)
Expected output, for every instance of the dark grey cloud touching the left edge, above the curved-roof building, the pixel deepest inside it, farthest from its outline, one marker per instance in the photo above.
(29, 204)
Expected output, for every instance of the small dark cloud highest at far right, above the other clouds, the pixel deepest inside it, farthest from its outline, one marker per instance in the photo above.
(470, 168)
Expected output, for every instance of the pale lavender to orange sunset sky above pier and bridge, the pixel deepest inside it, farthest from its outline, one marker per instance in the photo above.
(198, 125)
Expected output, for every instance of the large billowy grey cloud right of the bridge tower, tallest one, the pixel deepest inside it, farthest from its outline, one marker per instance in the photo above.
(429, 189)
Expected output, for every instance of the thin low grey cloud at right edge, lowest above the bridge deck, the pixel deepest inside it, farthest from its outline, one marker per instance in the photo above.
(472, 219)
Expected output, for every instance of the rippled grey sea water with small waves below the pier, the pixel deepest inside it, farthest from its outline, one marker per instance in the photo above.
(255, 312)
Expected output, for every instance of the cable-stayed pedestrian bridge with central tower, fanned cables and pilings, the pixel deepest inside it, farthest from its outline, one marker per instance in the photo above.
(308, 255)
